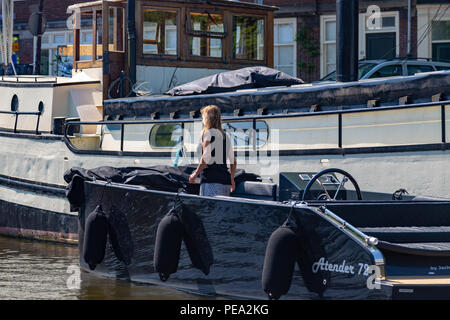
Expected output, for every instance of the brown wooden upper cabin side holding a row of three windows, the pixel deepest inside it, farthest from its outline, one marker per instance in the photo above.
(204, 35)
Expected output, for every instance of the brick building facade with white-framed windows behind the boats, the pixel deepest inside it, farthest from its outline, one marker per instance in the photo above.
(304, 35)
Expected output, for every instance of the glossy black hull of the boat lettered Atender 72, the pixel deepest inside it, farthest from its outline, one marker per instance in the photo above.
(238, 231)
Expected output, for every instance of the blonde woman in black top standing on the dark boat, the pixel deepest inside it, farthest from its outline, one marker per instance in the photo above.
(217, 148)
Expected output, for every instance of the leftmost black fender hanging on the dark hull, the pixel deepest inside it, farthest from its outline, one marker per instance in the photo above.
(95, 236)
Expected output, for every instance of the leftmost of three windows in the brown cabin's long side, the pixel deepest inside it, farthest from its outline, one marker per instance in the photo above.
(160, 32)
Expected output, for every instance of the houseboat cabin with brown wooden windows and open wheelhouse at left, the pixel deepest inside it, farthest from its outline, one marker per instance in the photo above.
(176, 41)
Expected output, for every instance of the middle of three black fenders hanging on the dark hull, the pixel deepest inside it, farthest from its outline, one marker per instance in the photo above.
(167, 246)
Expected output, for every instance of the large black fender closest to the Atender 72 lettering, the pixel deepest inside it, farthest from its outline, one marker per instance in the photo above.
(279, 261)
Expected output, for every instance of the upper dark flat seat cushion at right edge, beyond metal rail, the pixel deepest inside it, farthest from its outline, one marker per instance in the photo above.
(409, 234)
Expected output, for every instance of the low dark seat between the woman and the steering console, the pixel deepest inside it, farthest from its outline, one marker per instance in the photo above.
(256, 190)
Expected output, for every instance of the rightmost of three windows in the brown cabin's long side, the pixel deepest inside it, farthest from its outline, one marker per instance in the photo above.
(248, 38)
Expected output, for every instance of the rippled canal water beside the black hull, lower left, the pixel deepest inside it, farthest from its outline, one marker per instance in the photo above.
(31, 270)
